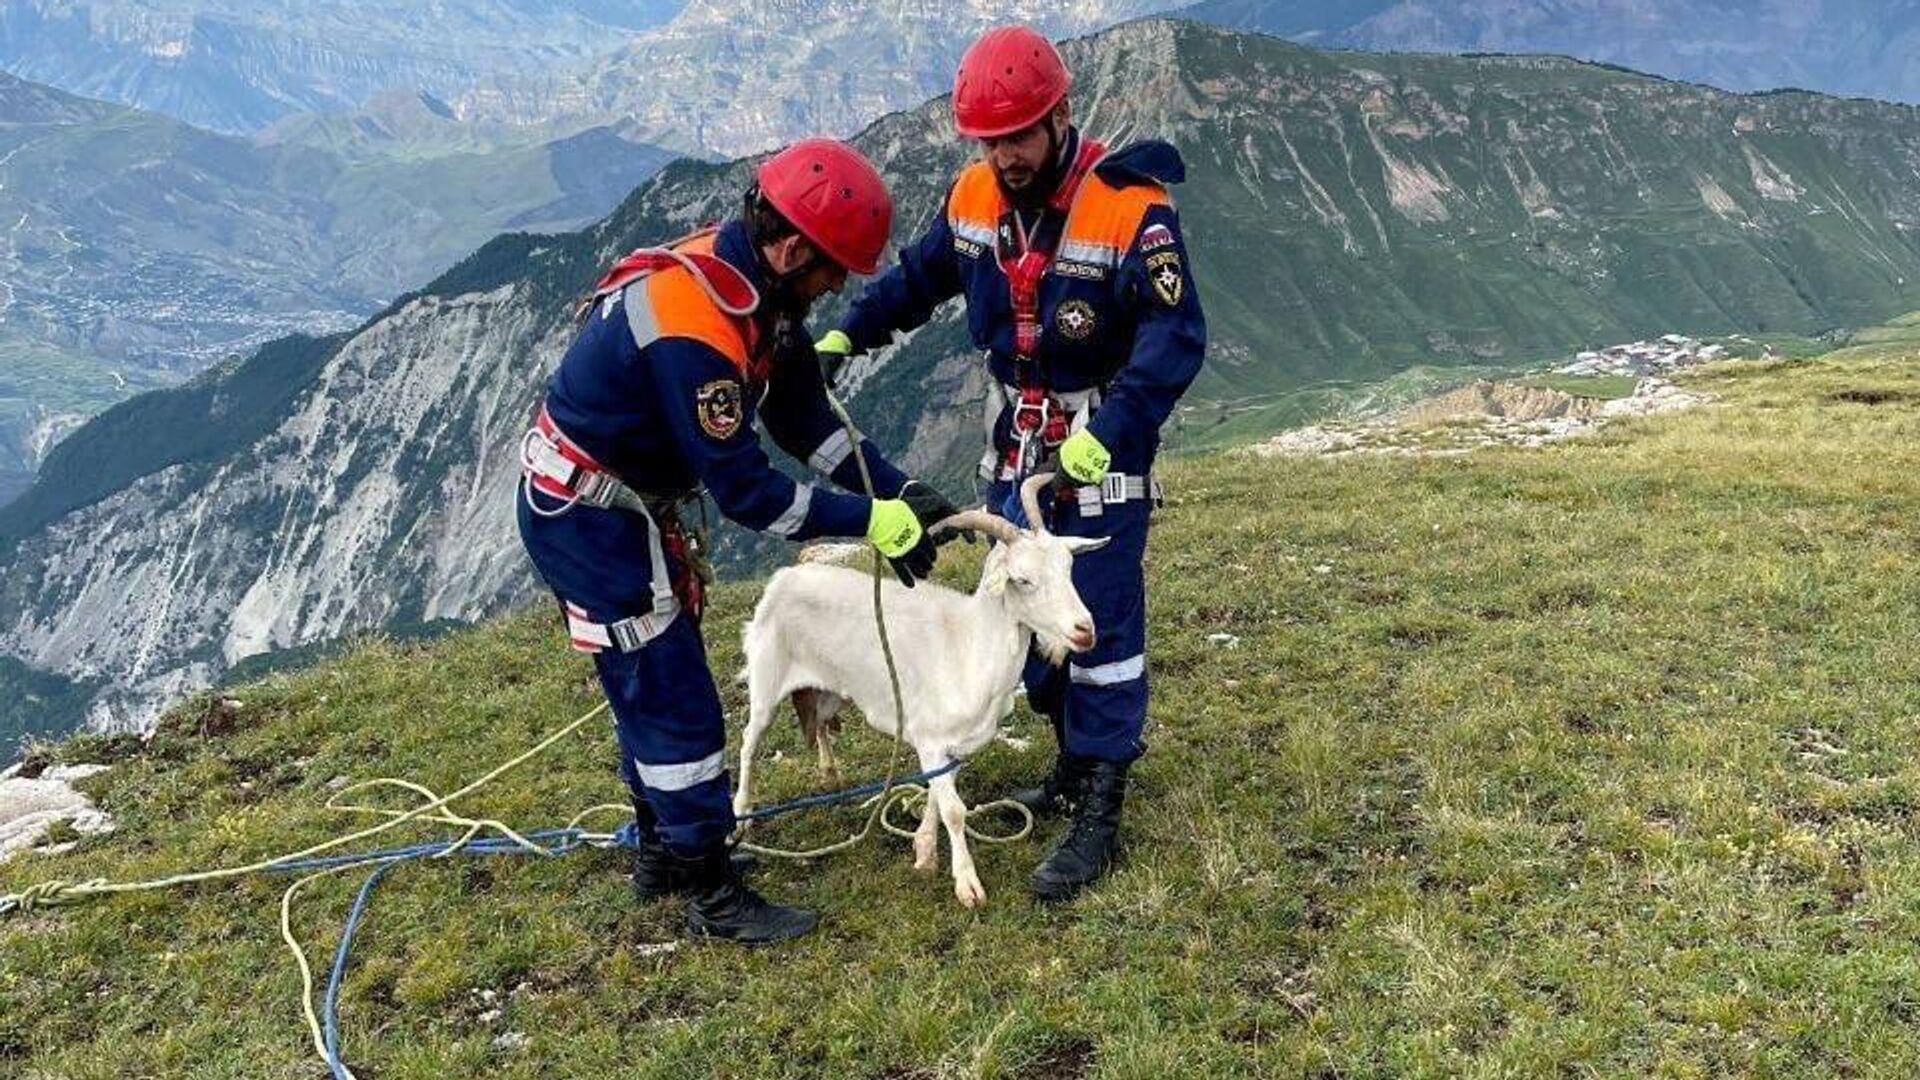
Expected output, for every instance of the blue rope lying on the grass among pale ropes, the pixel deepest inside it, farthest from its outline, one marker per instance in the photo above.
(564, 843)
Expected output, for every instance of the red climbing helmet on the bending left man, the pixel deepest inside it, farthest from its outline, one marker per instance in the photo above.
(834, 197)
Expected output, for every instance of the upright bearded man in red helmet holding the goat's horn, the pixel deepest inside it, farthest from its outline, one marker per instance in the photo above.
(1080, 293)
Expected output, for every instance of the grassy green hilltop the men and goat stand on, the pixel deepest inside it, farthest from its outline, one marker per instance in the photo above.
(1591, 760)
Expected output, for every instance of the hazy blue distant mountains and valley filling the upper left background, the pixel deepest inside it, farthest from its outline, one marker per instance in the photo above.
(137, 251)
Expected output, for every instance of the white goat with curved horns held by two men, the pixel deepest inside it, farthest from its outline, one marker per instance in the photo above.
(813, 639)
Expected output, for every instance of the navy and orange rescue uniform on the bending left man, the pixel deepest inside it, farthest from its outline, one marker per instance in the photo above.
(661, 389)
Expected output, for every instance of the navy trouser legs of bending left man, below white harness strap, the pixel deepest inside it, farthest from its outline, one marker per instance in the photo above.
(673, 735)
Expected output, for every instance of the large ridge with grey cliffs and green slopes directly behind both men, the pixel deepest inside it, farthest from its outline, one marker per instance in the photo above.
(1349, 216)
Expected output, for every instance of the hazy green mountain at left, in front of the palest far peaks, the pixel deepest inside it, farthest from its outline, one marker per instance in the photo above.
(137, 251)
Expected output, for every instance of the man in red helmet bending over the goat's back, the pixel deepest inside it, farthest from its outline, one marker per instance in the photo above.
(656, 403)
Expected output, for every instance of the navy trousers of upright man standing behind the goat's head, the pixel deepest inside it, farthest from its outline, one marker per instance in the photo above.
(1099, 699)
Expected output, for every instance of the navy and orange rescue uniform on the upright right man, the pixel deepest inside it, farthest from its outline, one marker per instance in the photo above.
(1120, 339)
